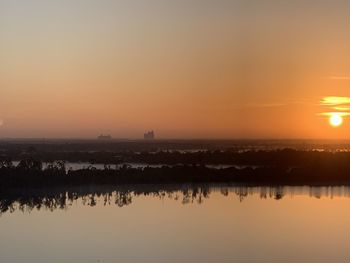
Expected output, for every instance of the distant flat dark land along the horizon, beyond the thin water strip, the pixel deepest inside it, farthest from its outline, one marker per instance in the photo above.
(176, 152)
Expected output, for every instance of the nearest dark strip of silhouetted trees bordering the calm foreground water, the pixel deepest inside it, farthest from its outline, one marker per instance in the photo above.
(326, 169)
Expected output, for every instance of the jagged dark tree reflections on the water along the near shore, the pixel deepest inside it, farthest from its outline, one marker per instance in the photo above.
(52, 199)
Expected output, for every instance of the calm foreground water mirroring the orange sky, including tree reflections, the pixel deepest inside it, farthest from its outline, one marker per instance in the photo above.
(151, 224)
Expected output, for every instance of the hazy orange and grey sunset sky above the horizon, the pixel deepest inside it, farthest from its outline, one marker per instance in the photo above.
(186, 69)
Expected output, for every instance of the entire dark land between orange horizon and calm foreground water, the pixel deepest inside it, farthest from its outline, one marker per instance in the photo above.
(177, 164)
